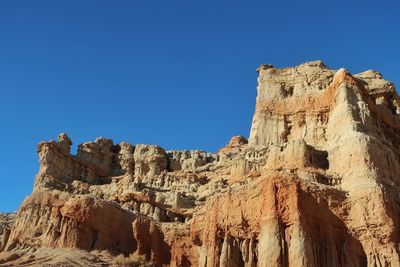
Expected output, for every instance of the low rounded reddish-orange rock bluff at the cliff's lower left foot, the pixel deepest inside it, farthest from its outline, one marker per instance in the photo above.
(58, 219)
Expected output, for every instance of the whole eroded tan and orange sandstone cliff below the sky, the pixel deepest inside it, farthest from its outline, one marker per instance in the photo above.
(316, 184)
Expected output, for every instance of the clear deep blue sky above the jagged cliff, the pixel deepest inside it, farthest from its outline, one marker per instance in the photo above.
(180, 74)
